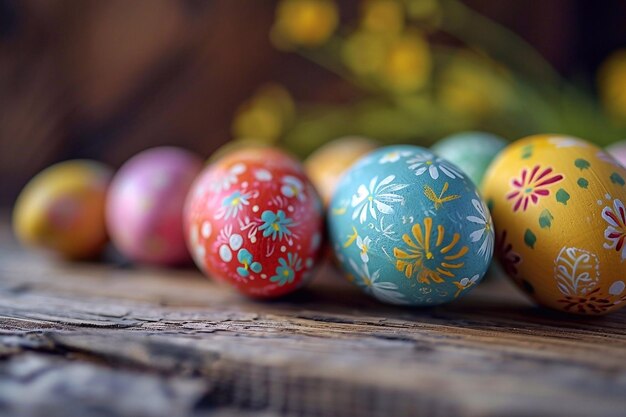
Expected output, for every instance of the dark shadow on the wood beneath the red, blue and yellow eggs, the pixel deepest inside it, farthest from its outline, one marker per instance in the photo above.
(494, 304)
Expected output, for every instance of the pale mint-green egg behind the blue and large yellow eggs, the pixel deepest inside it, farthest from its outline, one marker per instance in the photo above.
(470, 151)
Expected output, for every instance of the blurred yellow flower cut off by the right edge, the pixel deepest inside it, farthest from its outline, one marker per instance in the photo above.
(612, 83)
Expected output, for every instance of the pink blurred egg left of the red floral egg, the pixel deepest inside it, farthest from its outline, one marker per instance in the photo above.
(145, 205)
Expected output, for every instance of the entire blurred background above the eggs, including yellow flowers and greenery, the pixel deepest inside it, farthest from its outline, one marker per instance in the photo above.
(106, 79)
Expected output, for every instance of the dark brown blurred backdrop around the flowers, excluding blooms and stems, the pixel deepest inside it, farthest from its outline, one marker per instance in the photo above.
(106, 79)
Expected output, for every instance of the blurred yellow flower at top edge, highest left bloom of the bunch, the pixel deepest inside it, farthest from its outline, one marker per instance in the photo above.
(305, 23)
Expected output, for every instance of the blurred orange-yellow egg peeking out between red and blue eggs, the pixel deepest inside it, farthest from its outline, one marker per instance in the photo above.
(326, 165)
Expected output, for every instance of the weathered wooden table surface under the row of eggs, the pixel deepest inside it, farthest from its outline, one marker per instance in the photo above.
(108, 340)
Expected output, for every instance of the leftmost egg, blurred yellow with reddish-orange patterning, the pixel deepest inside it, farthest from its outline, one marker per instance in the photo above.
(62, 209)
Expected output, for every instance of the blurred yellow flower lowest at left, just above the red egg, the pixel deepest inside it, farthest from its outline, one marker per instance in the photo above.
(265, 116)
